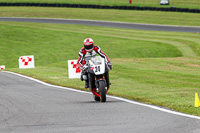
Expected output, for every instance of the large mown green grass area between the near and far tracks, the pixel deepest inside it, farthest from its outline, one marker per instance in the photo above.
(160, 68)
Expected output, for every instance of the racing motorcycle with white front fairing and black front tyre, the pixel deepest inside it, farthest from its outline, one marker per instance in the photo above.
(98, 75)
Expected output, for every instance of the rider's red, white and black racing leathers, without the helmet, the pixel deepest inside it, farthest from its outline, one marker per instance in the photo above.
(84, 58)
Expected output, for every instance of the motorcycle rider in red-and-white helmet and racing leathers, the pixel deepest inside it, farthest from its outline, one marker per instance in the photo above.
(85, 54)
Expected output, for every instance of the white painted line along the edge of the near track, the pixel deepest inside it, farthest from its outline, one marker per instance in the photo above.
(114, 97)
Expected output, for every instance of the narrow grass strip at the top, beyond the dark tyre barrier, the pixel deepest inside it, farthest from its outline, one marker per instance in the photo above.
(195, 4)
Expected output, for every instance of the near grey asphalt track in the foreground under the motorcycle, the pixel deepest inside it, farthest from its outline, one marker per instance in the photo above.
(27, 106)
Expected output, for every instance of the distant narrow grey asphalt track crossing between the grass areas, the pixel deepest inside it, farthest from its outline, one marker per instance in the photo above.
(106, 24)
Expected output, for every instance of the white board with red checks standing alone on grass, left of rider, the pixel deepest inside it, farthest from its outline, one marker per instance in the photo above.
(26, 61)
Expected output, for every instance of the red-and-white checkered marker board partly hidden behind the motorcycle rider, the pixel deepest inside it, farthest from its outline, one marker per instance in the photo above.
(73, 70)
